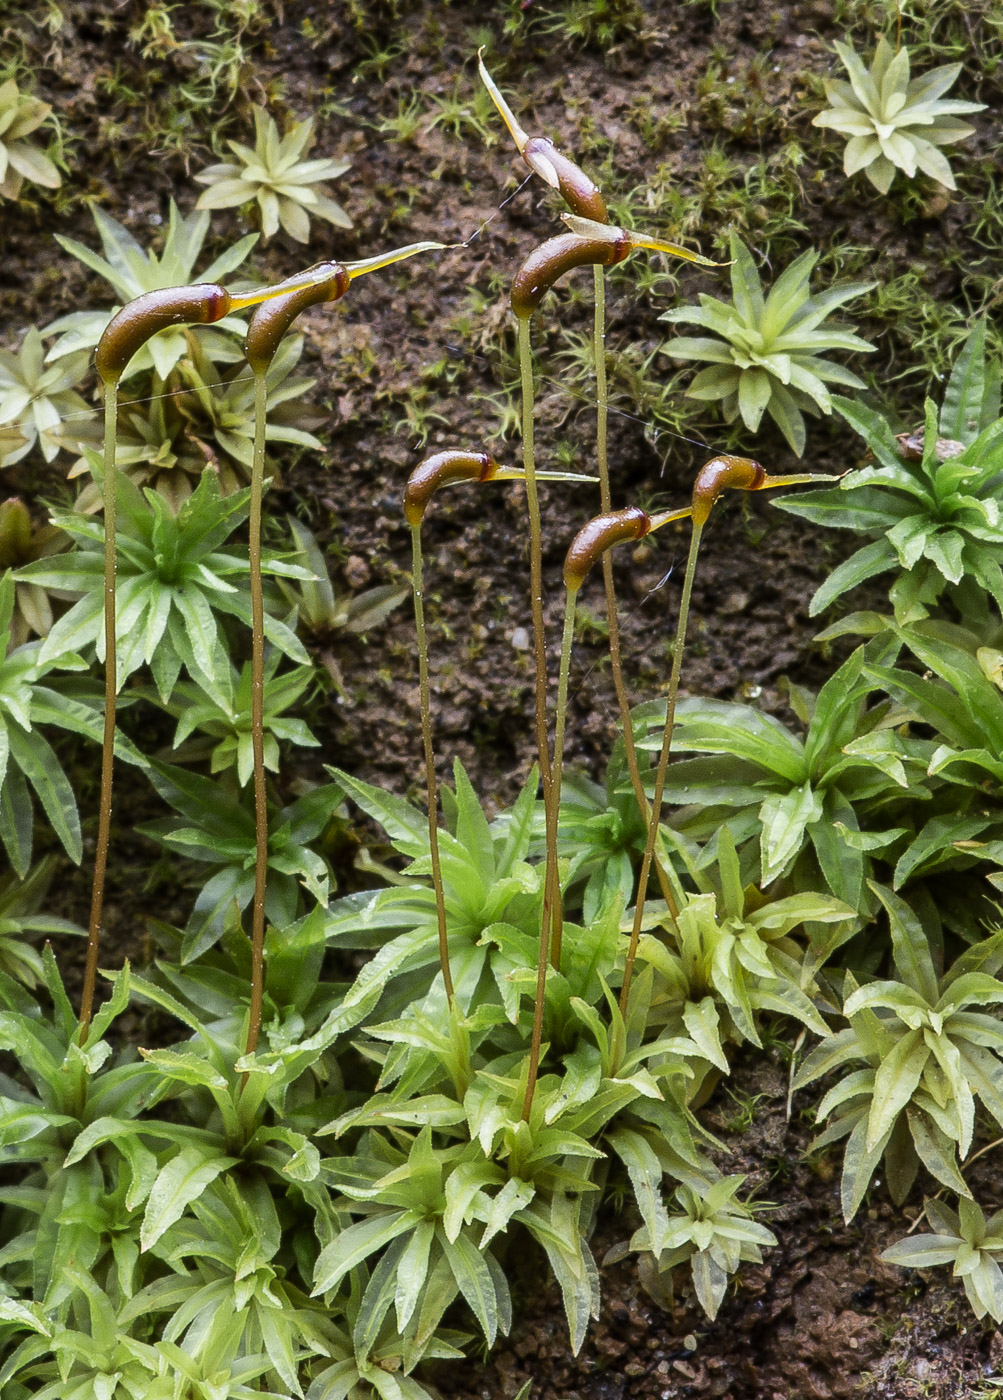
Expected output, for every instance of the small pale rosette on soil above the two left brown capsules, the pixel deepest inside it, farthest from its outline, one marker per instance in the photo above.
(288, 188)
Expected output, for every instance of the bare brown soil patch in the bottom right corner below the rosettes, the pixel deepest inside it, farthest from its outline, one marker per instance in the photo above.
(823, 1318)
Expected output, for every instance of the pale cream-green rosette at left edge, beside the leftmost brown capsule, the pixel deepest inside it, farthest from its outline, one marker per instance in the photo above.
(39, 398)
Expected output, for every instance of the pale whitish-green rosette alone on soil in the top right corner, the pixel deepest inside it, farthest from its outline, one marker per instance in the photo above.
(894, 122)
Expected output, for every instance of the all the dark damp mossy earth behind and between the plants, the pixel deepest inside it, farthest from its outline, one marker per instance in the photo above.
(708, 107)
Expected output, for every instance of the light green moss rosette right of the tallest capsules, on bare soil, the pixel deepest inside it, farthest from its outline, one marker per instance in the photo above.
(767, 351)
